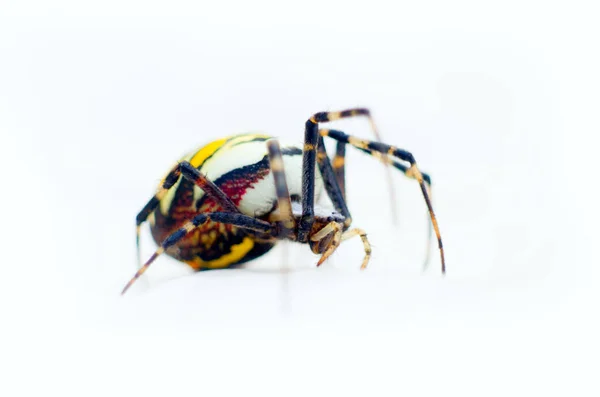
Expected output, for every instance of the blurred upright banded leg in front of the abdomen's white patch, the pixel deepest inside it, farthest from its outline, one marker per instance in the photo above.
(284, 202)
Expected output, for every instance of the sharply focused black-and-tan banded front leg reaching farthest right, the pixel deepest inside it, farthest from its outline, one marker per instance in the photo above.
(411, 172)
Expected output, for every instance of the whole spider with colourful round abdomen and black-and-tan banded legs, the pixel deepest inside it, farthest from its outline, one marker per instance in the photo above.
(231, 200)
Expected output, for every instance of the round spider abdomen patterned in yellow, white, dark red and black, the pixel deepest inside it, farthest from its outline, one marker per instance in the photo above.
(239, 166)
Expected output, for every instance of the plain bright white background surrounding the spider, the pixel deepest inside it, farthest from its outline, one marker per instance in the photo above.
(498, 101)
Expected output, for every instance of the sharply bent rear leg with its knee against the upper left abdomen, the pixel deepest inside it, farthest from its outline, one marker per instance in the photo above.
(192, 174)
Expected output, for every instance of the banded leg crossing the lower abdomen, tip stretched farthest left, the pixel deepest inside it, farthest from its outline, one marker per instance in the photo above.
(236, 219)
